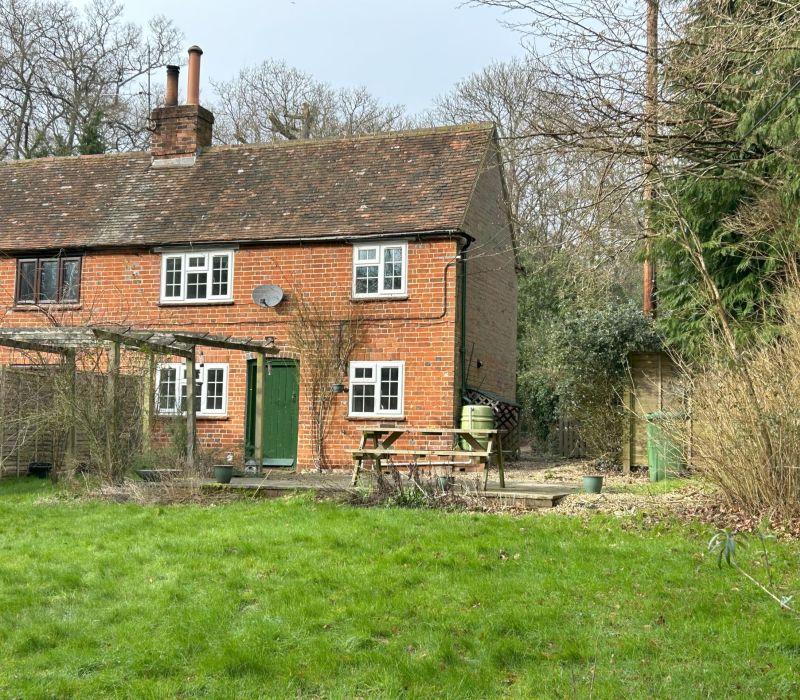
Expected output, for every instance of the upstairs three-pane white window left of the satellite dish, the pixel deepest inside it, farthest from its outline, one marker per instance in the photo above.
(197, 276)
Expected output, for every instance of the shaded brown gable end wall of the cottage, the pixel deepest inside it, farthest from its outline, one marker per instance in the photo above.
(491, 289)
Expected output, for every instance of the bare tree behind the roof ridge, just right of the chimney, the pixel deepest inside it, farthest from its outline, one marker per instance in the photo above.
(274, 101)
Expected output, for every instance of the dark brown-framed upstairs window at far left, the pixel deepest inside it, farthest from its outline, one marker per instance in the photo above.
(48, 280)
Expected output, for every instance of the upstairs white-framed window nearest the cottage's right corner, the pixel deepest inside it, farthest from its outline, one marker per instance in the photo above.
(380, 269)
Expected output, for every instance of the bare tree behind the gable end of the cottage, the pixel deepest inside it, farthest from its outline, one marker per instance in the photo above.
(561, 199)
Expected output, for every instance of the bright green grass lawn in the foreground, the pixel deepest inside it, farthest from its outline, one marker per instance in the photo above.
(294, 598)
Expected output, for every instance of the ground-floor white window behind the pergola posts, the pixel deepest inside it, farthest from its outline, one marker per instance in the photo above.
(210, 394)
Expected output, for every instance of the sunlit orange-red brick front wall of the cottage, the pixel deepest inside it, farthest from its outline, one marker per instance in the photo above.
(123, 287)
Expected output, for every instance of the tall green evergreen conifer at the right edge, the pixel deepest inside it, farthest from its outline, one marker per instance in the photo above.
(732, 91)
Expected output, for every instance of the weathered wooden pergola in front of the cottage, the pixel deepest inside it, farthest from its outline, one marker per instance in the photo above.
(67, 340)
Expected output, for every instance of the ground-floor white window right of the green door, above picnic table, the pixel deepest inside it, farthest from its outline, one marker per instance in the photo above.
(376, 388)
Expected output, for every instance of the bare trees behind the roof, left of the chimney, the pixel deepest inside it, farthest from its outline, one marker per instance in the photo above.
(59, 68)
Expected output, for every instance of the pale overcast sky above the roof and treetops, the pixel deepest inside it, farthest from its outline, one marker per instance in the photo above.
(404, 51)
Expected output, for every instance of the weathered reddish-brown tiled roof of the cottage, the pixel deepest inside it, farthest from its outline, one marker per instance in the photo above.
(412, 181)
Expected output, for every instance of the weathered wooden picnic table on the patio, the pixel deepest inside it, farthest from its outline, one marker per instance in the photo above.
(377, 444)
